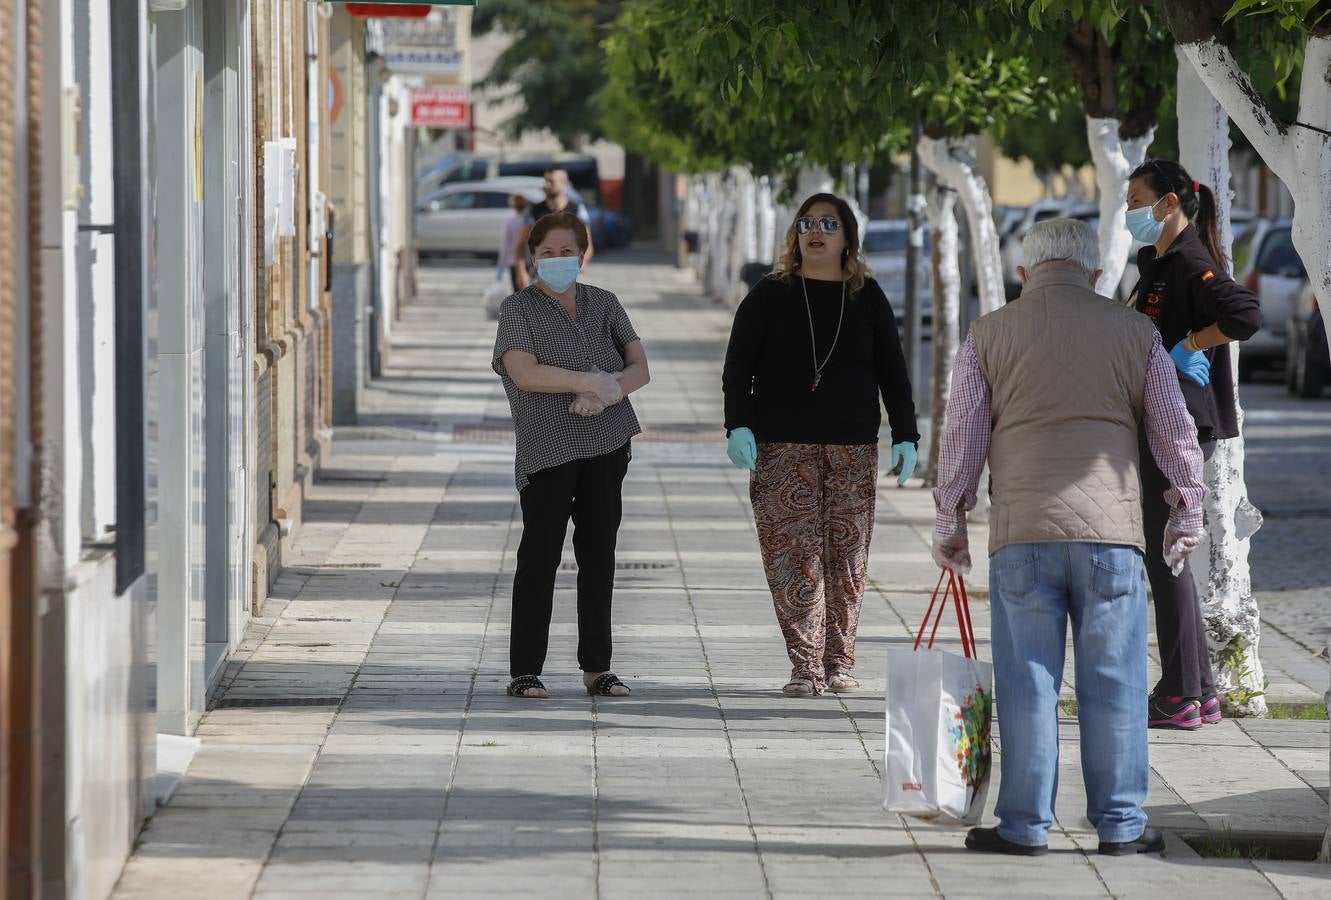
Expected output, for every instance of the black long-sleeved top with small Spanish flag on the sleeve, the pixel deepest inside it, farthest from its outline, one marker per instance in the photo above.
(1184, 291)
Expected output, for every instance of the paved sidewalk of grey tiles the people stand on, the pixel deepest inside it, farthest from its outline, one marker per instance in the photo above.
(364, 745)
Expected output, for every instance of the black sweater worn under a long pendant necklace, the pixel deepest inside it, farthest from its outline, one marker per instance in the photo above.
(770, 367)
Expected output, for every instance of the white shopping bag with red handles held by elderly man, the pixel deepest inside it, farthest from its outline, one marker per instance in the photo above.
(939, 710)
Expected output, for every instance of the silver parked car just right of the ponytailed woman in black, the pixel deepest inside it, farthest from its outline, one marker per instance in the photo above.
(1268, 264)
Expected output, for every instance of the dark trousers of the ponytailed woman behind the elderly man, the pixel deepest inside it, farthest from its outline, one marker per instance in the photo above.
(1185, 660)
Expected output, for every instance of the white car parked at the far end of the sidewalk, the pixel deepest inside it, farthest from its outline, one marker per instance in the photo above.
(469, 218)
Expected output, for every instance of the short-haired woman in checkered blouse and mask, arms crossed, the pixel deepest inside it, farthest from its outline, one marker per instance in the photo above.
(569, 359)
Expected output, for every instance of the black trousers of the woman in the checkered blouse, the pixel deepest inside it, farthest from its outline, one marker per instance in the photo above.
(590, 493)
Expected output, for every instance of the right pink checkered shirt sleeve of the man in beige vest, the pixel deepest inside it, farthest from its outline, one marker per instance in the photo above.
(1172, 435)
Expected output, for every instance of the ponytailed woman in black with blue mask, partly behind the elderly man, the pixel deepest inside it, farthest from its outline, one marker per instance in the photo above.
(1199, 311)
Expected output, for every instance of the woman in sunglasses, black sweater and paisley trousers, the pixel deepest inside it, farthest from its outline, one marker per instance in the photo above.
(813, 348)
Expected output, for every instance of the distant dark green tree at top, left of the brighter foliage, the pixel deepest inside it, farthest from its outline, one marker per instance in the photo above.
(556, 65)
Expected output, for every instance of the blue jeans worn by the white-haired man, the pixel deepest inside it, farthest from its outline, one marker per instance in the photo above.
(1035, 589)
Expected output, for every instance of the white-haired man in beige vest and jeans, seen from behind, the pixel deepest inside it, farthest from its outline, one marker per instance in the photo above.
(1053, 391)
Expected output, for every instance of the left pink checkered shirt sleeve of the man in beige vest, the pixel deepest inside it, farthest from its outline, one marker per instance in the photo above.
(966, 444)
